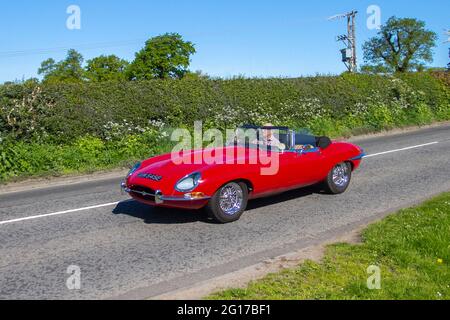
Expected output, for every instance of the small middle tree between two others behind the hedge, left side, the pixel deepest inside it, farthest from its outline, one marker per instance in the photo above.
(106, 68)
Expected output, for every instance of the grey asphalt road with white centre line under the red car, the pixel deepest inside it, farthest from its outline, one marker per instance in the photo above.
(129, 250)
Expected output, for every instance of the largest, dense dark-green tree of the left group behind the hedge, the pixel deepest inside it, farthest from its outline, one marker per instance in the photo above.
(165, 56)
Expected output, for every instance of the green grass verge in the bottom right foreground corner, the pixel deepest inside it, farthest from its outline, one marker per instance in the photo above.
(412, 249)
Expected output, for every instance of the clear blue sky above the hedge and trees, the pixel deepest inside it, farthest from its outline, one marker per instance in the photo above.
(246, 37)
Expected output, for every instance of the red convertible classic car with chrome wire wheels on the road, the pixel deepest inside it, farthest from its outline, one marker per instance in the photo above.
(224, 187)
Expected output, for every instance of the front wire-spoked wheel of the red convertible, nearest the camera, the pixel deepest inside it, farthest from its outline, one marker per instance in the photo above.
(228, 203)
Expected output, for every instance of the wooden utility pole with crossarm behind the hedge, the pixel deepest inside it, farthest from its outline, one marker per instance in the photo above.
(349, 53)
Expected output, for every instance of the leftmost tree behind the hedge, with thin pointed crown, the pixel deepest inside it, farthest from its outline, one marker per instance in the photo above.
(68, 70)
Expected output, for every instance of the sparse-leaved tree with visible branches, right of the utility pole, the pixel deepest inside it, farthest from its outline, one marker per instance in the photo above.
(401, 45)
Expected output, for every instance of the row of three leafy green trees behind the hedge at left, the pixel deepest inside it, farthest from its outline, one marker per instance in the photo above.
(167, 56)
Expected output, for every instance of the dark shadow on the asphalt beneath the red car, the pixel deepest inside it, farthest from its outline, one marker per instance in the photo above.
(154, 215)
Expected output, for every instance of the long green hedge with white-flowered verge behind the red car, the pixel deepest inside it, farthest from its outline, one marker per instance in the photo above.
(49, 122)
